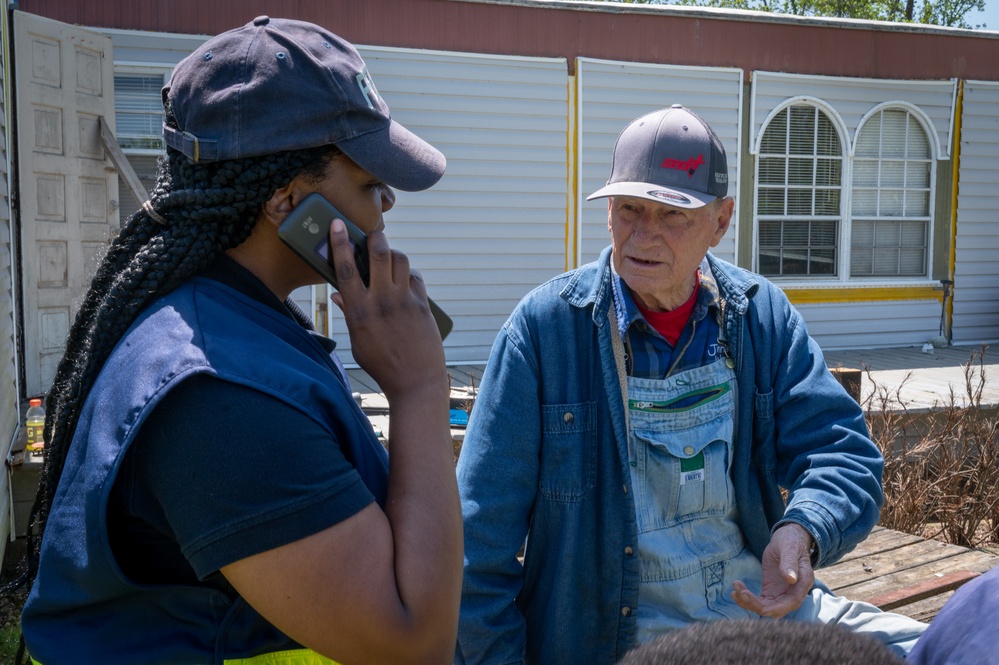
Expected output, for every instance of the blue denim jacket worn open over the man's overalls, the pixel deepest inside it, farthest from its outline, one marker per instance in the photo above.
(544, 466)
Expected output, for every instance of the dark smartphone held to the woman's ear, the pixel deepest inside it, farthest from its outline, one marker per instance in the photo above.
(306, 230)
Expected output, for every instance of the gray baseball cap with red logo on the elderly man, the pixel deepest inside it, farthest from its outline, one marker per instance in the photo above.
(670, 156)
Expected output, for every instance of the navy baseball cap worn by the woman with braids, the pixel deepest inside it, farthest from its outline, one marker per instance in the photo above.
(279, 84)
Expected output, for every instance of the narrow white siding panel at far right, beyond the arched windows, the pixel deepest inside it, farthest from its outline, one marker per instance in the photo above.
(976, 273)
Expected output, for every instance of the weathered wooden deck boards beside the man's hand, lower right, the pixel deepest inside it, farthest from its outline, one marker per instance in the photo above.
(905, 574)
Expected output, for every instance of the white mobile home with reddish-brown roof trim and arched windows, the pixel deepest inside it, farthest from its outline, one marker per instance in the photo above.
(864, 156)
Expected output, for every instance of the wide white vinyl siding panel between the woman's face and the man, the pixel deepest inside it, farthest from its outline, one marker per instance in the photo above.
(494, 227)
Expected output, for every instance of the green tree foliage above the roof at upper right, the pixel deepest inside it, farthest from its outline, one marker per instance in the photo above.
(950, 13)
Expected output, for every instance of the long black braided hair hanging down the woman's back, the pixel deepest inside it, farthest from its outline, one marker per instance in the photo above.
(196, 212)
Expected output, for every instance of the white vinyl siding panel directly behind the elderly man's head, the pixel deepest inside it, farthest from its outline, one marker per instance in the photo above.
(612, 94)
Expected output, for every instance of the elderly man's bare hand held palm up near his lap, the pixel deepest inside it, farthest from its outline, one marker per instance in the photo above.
(787, 575)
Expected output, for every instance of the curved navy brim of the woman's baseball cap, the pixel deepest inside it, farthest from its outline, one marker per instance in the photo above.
(397, 157)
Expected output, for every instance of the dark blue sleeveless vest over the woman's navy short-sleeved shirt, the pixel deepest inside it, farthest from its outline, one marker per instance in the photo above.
(82, 609)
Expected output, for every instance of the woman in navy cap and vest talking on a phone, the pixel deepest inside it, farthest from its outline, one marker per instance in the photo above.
(211, 492)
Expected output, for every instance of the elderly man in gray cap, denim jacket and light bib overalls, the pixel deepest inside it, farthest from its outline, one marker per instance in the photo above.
(635, 425)
